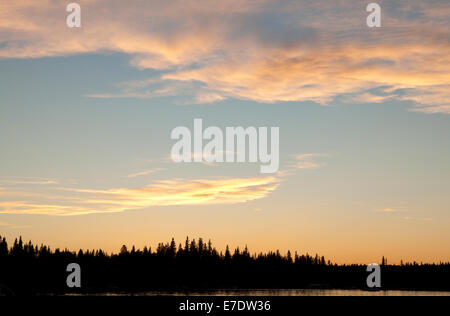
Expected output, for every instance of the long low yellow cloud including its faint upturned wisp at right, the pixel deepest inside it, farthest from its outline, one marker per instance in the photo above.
(66, 201)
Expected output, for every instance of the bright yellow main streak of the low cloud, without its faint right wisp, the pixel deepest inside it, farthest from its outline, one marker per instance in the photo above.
(160, 193)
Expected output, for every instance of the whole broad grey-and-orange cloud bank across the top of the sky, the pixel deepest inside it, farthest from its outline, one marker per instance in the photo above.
(253, 50)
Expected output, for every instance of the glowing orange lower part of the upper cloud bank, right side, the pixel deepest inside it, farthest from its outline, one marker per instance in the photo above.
(324, 73)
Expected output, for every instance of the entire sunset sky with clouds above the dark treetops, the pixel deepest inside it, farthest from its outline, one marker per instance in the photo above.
(364, 117)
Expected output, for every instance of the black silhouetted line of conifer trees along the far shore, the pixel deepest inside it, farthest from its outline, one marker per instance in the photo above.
(28, 269)
